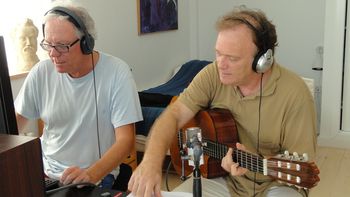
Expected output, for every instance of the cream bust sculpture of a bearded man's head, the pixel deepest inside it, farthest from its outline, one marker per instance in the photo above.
(25, 36)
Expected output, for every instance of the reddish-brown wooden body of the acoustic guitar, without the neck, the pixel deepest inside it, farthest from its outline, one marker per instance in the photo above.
(217, 125)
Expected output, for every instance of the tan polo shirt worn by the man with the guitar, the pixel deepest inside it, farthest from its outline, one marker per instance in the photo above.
(287, 117)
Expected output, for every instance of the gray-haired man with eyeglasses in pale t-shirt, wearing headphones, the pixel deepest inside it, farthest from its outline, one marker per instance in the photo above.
(87, 100)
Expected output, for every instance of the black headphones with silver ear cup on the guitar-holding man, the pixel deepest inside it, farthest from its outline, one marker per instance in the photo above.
(263, 60)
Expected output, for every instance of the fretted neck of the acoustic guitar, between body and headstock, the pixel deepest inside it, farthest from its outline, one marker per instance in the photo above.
(247, 160)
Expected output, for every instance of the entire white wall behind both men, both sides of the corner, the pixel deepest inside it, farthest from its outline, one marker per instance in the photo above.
(153, 56)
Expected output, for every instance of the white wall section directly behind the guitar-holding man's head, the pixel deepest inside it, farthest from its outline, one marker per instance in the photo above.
(299, 31)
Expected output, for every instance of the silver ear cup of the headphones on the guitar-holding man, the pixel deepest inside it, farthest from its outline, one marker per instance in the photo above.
(263, 61)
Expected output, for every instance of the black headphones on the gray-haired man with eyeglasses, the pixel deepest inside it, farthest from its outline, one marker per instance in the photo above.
(87, 42)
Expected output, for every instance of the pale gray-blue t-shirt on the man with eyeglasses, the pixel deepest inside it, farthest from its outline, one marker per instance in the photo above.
(67, 106)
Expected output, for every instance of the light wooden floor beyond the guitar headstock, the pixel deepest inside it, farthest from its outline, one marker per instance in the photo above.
(334, 174)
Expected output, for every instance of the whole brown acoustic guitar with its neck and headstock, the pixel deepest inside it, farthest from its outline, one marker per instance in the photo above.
(219, 132)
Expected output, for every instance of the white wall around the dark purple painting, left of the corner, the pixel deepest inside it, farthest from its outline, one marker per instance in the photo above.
(151, 56)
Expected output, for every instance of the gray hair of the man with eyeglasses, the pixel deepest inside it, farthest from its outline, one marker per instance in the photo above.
(79, 11)
